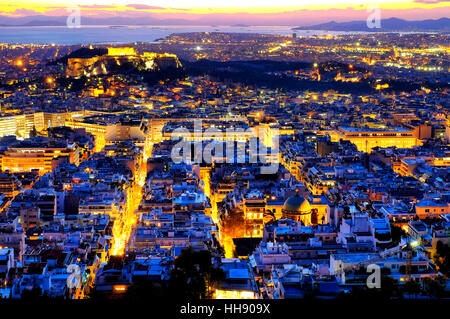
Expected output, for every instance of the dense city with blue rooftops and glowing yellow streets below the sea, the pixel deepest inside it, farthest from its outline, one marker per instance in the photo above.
(95, 205)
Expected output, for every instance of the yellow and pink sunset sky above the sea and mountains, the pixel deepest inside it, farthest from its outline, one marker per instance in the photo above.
(253, 12)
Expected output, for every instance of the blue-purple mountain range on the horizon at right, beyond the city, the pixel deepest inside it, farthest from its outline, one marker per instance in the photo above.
(387, 25)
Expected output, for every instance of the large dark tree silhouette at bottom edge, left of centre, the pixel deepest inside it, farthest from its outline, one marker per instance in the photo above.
(194, 275)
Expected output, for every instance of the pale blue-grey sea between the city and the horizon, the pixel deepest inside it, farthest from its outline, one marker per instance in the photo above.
(62, 35)
